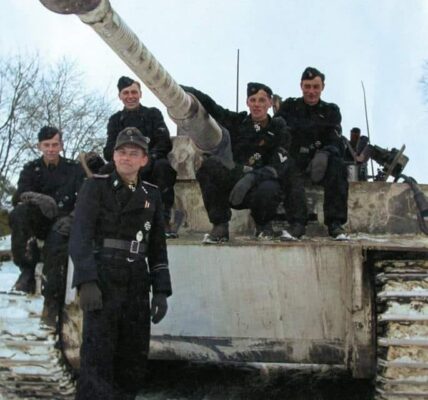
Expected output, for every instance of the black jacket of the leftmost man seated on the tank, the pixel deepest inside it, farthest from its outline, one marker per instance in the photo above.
(62, 182)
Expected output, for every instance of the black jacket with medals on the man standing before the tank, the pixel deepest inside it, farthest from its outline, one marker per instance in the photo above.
(108, 209)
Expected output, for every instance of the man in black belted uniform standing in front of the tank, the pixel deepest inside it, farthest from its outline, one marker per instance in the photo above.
(118, 224)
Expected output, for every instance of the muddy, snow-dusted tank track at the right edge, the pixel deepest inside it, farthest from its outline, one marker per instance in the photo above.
(402, 329)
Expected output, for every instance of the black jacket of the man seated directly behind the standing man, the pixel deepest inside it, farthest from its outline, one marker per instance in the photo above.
(151, 124)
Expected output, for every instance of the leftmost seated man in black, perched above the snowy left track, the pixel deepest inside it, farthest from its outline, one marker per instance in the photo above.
(43, 203)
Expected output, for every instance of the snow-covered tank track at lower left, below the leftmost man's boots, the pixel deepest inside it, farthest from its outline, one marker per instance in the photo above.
(31, 364)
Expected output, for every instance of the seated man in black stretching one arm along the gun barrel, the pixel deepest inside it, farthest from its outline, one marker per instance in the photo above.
(262, 168)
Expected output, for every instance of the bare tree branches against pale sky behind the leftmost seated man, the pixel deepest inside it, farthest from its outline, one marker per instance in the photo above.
(31, 96)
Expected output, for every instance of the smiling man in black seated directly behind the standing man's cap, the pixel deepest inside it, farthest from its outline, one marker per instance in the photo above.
(152, 125)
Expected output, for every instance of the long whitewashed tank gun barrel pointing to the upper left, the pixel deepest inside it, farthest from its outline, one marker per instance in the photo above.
(184, 109)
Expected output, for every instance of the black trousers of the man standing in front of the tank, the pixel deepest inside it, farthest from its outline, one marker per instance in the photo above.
(116, 338)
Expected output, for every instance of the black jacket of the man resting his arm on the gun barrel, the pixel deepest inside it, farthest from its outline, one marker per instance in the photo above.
(252, 145)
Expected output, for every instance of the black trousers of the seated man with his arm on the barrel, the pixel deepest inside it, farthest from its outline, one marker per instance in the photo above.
(216, 183)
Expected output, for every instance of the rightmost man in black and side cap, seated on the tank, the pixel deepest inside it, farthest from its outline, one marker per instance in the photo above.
(317, 147)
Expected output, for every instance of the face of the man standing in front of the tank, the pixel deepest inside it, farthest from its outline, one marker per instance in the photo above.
(128, 160)
